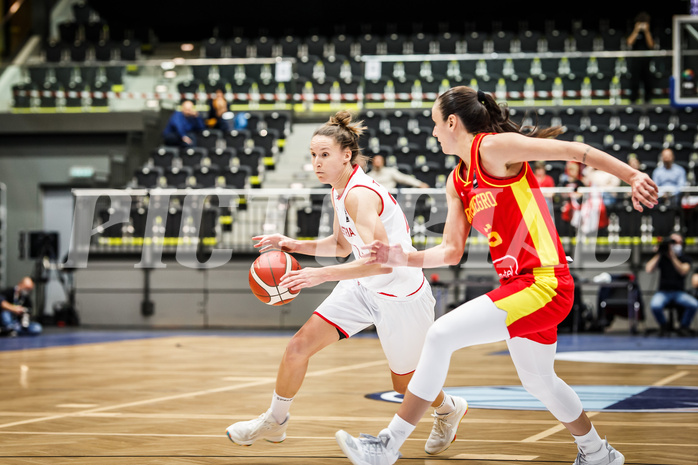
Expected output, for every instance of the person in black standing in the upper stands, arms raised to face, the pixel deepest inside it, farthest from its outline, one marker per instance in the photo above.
(640, 39)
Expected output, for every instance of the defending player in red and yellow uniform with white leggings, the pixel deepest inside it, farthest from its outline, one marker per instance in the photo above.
(494, 190)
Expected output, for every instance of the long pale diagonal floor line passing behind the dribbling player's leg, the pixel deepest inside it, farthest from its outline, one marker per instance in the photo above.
(191, 394)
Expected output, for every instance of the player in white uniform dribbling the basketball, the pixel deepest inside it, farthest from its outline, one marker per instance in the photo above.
(398, 302)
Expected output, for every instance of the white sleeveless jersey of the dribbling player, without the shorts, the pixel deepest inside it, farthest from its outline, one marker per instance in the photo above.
(403, 281)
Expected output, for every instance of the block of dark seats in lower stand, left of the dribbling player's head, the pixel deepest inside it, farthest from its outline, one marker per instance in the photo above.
(235, 159)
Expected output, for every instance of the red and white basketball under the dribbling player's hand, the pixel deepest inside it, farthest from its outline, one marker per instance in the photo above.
(265, 274)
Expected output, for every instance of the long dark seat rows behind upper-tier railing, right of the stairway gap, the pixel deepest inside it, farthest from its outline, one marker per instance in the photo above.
(514, 79)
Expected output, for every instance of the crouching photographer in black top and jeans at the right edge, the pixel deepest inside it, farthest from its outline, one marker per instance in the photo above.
(673, 267)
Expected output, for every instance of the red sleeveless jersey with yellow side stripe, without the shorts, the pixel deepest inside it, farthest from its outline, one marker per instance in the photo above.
(512, 214)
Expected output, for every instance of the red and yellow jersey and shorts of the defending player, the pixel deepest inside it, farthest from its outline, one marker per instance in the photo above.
(536, 287)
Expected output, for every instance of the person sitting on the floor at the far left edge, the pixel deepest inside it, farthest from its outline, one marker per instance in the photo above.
(15, 307)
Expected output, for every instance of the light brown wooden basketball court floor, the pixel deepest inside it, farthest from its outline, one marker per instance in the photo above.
(168, 400)
